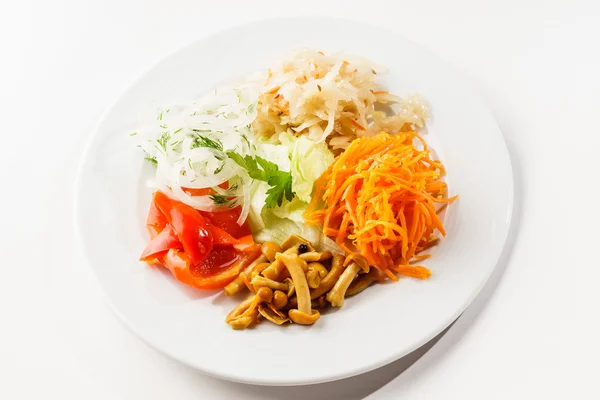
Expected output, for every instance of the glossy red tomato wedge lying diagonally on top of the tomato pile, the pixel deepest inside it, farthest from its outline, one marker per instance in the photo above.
(189, 225)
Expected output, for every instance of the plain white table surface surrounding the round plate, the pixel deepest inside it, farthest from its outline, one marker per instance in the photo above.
(532, 333)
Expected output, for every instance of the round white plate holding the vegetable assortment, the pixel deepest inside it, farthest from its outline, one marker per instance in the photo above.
(372, 329)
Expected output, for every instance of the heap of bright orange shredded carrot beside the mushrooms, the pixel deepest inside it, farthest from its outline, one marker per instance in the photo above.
(378, 199)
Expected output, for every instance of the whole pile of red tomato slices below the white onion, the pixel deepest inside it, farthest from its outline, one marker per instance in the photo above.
(204, 250)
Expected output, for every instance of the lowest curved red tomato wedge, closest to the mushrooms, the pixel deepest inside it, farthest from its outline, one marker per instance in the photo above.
(219, 270)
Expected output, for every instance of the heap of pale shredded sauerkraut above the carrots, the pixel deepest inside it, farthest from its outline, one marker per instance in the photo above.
(332, 98)
